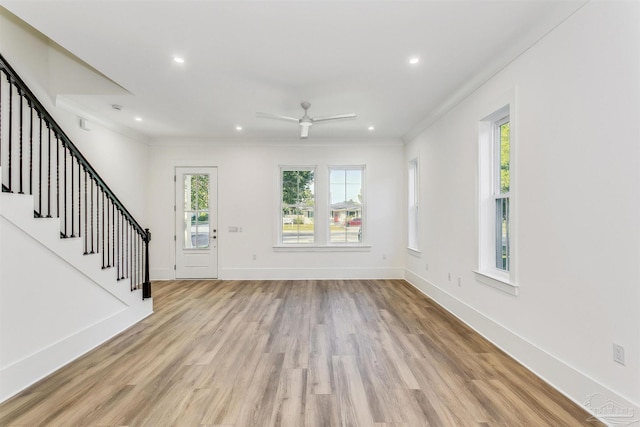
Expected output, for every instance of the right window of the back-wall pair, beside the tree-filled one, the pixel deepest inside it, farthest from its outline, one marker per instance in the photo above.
(346, 204)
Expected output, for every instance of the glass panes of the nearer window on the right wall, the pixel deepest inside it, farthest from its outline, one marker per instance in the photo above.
(502, 184)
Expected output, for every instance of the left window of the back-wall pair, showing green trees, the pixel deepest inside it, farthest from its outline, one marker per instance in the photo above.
(297, 205)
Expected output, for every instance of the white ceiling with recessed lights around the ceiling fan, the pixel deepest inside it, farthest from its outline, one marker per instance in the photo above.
(243, 57)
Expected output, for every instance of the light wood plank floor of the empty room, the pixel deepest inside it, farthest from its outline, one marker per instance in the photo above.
(295, 353)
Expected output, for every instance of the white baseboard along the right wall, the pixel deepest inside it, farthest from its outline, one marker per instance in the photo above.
(576, 385)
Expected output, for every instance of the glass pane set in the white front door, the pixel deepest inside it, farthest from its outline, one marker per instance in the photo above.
(196, 211)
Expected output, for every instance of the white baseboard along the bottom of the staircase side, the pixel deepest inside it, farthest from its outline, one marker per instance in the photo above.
(31, 369)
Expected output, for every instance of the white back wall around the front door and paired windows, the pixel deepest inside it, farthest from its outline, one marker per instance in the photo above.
(248, 198)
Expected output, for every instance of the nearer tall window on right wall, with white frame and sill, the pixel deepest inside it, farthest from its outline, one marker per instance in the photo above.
(495, 201)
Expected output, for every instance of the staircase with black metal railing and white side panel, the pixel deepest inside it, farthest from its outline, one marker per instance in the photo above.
(74, 263)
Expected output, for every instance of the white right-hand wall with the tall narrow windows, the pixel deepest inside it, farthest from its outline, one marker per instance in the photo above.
(577, 206)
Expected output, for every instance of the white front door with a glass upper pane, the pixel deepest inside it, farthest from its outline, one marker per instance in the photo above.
(196, 223)
